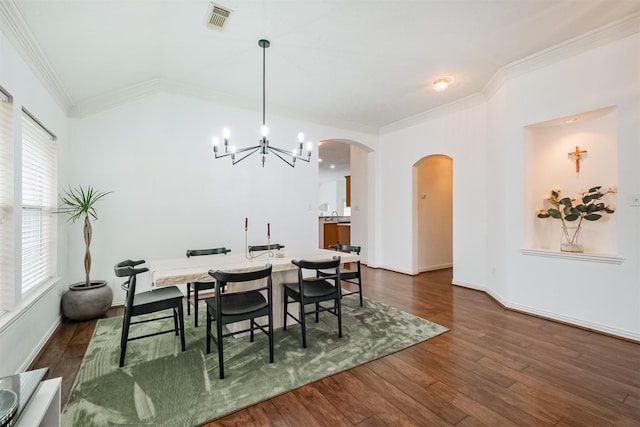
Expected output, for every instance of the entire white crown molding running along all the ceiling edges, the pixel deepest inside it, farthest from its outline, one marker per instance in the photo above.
(21, 37)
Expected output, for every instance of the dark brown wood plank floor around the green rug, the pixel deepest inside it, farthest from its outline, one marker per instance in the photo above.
(494, 367)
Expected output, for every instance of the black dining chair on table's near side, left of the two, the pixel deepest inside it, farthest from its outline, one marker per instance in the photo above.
(240, 305)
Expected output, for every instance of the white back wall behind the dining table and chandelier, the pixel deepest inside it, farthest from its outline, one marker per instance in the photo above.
(171, 194)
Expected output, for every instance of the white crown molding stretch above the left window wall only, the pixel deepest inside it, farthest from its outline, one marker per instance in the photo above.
(17, 31)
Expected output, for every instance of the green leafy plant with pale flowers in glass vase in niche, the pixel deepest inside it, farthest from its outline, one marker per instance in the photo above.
(589, 206)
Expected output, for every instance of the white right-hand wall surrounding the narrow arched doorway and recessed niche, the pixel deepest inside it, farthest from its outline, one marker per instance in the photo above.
(486, 141)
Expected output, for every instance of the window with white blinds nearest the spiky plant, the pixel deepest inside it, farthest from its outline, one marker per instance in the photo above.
(38, 203)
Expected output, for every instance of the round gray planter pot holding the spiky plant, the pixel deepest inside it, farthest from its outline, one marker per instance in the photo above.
(80, 302)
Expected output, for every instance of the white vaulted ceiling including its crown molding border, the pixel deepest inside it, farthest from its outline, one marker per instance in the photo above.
(355, 64)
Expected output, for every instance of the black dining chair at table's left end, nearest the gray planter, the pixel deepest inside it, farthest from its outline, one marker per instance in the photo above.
(139, 303)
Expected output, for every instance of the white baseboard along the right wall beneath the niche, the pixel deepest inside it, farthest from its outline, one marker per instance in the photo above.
(555, 317)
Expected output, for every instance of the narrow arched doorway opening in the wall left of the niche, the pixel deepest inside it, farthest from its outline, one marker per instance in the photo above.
(433, 224)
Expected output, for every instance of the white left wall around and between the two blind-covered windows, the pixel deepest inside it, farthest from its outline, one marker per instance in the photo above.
(25, 330)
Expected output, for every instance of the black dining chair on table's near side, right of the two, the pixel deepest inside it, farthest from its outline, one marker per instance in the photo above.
(313, 289)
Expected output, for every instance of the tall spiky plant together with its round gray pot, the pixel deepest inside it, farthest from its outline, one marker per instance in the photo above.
(91, 298)
